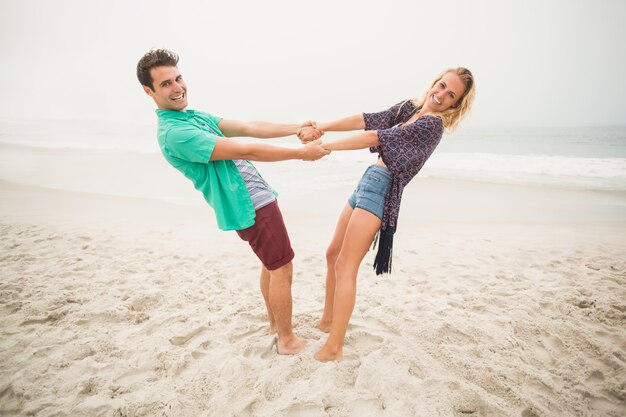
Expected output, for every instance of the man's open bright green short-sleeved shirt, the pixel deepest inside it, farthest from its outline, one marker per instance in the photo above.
(187, 140)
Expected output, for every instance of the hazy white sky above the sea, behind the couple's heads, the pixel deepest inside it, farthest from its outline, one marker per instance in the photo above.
(558, 63)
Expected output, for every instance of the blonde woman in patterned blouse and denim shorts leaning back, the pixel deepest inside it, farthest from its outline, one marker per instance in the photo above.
(404, 136)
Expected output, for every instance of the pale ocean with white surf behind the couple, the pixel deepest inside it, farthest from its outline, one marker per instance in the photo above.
(592, 158)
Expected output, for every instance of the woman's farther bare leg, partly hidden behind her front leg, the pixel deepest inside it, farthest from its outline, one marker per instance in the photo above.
(332, 253)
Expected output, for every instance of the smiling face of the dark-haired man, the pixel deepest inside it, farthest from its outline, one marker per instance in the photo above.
(170, 91)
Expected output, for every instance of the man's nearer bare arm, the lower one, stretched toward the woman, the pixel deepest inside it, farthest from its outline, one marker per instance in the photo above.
(232, 149)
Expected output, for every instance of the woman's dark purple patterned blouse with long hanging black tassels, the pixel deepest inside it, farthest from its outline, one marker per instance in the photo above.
(404, 149)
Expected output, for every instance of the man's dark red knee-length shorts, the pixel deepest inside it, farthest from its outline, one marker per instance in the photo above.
(268, 237)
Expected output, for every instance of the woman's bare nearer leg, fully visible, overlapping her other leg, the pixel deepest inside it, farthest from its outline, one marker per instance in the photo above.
(361, 229)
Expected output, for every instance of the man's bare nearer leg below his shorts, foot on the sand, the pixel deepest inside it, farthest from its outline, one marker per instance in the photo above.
(281, 306)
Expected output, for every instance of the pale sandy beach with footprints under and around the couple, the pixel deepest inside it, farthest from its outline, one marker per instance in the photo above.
(505, 300)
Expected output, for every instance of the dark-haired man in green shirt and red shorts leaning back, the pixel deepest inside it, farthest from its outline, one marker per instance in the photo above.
(194, 143)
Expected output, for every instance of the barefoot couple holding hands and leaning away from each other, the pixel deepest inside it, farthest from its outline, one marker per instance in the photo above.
(403, 136)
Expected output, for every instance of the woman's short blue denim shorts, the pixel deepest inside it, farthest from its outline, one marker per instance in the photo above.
(372, 190)
